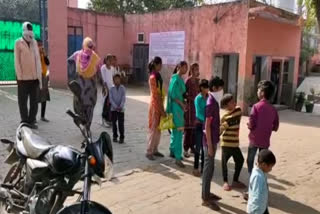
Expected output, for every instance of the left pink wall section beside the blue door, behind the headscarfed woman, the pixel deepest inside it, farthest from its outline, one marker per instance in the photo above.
(107, 31)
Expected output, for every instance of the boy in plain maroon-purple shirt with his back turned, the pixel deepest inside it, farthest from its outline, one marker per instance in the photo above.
(263, 120)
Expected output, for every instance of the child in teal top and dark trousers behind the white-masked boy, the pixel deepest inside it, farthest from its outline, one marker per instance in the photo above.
(200, 106)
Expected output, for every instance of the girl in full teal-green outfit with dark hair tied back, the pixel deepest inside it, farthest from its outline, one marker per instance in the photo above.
(177, 107)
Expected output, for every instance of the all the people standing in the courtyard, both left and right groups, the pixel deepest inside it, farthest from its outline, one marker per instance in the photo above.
(194, 105)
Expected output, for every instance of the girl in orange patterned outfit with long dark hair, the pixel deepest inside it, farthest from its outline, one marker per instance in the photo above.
(156, 109)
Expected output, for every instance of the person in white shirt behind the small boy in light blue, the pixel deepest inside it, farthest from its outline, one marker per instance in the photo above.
(107, 72)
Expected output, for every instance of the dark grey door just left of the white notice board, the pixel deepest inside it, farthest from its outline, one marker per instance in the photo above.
(140, 62)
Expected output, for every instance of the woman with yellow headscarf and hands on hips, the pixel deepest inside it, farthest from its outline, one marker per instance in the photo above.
(82, 67)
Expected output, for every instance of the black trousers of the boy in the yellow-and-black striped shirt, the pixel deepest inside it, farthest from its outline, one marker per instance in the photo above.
(227, 153)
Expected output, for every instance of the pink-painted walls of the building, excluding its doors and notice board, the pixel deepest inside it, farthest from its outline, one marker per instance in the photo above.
(209, 30)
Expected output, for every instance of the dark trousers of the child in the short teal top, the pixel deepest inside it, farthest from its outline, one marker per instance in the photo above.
(198, 147)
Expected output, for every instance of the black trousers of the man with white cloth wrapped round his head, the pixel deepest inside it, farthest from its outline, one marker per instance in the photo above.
(28, 90)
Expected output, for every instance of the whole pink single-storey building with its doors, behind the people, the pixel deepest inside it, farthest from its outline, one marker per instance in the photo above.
(242, 42)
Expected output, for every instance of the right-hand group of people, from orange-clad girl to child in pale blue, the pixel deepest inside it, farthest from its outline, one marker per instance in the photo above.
(195, 107)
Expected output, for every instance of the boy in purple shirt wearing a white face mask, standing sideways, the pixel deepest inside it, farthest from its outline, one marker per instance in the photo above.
(211, 139)
